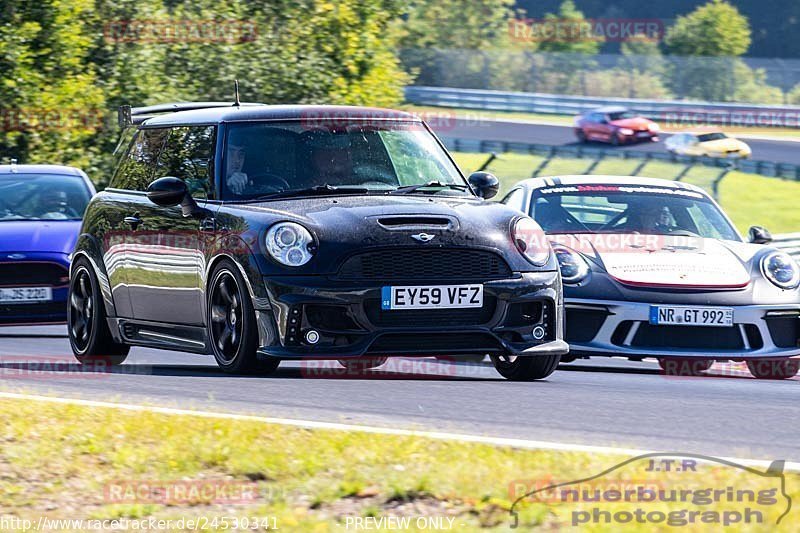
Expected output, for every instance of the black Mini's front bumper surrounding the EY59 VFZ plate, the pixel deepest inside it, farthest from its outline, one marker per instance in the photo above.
(347, 321)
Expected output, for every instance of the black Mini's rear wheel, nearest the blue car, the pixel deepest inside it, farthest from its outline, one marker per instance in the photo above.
(87, 327)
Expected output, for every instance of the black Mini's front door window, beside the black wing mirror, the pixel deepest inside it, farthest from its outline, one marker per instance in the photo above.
(188, 155)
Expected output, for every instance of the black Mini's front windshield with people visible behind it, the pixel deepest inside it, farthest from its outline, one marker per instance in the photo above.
(278, 158)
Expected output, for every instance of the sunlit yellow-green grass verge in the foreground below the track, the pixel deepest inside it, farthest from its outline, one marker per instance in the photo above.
(58, 461)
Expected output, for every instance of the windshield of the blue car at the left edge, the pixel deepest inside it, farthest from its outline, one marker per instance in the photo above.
(42, 197)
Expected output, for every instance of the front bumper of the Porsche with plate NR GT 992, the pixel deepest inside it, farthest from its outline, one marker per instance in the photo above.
(622, 328)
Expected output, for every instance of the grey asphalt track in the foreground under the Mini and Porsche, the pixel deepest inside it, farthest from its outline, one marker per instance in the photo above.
(600, 402)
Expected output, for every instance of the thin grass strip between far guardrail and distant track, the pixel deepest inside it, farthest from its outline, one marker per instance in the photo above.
(567, 120)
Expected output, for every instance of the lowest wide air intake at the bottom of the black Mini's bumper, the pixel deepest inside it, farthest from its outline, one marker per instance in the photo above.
(435, 344)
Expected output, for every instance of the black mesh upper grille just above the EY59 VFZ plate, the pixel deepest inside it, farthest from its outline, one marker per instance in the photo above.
(425, 264)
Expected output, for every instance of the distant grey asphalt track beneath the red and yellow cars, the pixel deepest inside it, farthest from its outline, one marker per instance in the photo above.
(522, 132)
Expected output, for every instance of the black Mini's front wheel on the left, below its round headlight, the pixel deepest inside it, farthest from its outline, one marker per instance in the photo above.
(231, 323)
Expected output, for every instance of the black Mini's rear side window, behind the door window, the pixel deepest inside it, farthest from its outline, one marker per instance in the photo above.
(136, 170)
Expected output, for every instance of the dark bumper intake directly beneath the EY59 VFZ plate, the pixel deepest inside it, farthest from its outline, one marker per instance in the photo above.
(430, 317)
